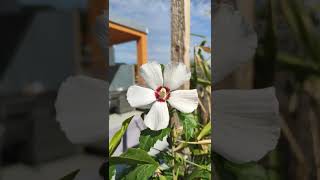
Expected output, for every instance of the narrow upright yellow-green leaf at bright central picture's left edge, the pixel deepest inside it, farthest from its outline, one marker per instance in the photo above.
(115, 141)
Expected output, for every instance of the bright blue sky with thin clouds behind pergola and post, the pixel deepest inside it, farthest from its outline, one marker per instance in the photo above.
(155, 14)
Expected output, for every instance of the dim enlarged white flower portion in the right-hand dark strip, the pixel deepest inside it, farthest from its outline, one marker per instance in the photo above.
(246, 123)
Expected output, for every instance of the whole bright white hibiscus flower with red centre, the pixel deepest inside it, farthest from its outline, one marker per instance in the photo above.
(163, 89)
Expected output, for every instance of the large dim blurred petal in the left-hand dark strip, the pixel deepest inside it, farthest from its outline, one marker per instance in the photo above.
(82, 107)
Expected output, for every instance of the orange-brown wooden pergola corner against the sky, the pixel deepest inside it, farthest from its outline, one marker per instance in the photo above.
(121, 33)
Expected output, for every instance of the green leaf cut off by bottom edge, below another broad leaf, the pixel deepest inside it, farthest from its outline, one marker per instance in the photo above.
(142, 172)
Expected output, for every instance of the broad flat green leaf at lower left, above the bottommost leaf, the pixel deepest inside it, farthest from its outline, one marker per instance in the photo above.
(133, 156)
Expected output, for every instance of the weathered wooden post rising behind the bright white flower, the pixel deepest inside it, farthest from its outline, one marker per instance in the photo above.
(180, 32)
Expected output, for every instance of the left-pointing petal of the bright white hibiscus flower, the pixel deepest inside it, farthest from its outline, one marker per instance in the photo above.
(140, 96)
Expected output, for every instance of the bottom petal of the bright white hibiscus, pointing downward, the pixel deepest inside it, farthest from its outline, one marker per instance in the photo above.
(158, 116)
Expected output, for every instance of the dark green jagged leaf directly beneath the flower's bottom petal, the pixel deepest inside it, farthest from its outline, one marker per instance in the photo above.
(148, 137)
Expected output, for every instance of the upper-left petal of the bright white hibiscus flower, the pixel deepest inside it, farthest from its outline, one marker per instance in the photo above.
(152, 74)
